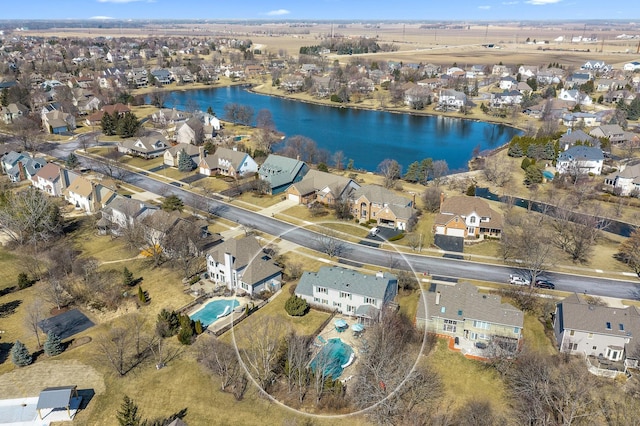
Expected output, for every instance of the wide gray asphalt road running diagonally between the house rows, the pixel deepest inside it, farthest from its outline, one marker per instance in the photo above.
(437, 266)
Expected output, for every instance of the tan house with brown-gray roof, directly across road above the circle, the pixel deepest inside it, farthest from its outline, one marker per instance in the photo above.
(382, 205)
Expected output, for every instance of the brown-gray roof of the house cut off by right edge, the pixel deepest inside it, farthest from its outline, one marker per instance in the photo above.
(576, 314)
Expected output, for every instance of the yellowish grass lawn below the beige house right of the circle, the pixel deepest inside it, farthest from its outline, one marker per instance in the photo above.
(466, 380)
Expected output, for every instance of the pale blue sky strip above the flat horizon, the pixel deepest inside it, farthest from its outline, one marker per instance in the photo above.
(492, 10)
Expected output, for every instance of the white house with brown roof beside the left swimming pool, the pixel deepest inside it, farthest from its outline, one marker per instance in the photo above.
(241, 265)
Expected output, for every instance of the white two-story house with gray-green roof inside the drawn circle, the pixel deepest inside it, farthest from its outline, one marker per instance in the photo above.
(348, 292)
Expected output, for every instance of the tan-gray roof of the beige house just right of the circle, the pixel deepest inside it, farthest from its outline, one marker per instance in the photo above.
(463, 301)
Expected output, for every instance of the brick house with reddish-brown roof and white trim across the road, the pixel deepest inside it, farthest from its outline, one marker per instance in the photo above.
(467, 217)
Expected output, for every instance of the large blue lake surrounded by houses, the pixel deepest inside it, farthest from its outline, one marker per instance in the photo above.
(367, 137)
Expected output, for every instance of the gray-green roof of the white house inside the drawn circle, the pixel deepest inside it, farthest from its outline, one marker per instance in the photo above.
(342, 279)
